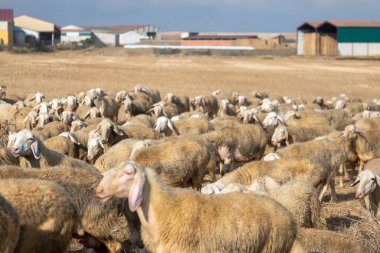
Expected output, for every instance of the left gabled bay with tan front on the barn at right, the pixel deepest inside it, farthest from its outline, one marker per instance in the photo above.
(308, 38)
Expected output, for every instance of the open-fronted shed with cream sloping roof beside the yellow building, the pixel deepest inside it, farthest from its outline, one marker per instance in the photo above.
(32, 31)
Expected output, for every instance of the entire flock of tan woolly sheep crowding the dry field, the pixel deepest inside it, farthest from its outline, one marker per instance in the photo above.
(258, 169)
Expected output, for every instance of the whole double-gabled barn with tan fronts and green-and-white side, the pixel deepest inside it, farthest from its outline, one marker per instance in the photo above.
(339, 38)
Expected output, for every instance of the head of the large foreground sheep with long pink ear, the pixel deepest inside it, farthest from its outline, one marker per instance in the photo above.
(126, 180)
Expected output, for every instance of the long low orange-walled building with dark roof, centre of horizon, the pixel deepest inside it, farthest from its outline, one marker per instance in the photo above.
(215, 40)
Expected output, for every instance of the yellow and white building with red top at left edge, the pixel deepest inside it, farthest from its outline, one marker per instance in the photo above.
(6, 27)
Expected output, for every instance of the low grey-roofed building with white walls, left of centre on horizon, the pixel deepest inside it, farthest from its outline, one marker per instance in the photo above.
(115, 35)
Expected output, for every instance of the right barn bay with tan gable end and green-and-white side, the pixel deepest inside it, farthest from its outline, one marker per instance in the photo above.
(350, 38)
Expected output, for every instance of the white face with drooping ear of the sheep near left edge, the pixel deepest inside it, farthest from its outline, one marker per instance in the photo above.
(25, 144)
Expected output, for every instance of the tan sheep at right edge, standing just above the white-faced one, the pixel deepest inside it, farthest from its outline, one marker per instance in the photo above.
(364, 143)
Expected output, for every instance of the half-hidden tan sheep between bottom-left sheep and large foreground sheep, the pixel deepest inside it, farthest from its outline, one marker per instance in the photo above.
(97, 219)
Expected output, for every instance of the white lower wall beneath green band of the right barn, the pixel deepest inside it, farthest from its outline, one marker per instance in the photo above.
(359, 49)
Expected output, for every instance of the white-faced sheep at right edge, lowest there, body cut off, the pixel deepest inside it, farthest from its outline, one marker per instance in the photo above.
(369, 189)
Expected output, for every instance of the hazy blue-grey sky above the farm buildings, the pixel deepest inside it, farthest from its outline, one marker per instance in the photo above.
(197, 15)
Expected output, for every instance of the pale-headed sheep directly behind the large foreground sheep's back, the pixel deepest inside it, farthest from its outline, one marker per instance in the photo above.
(297, 196)
